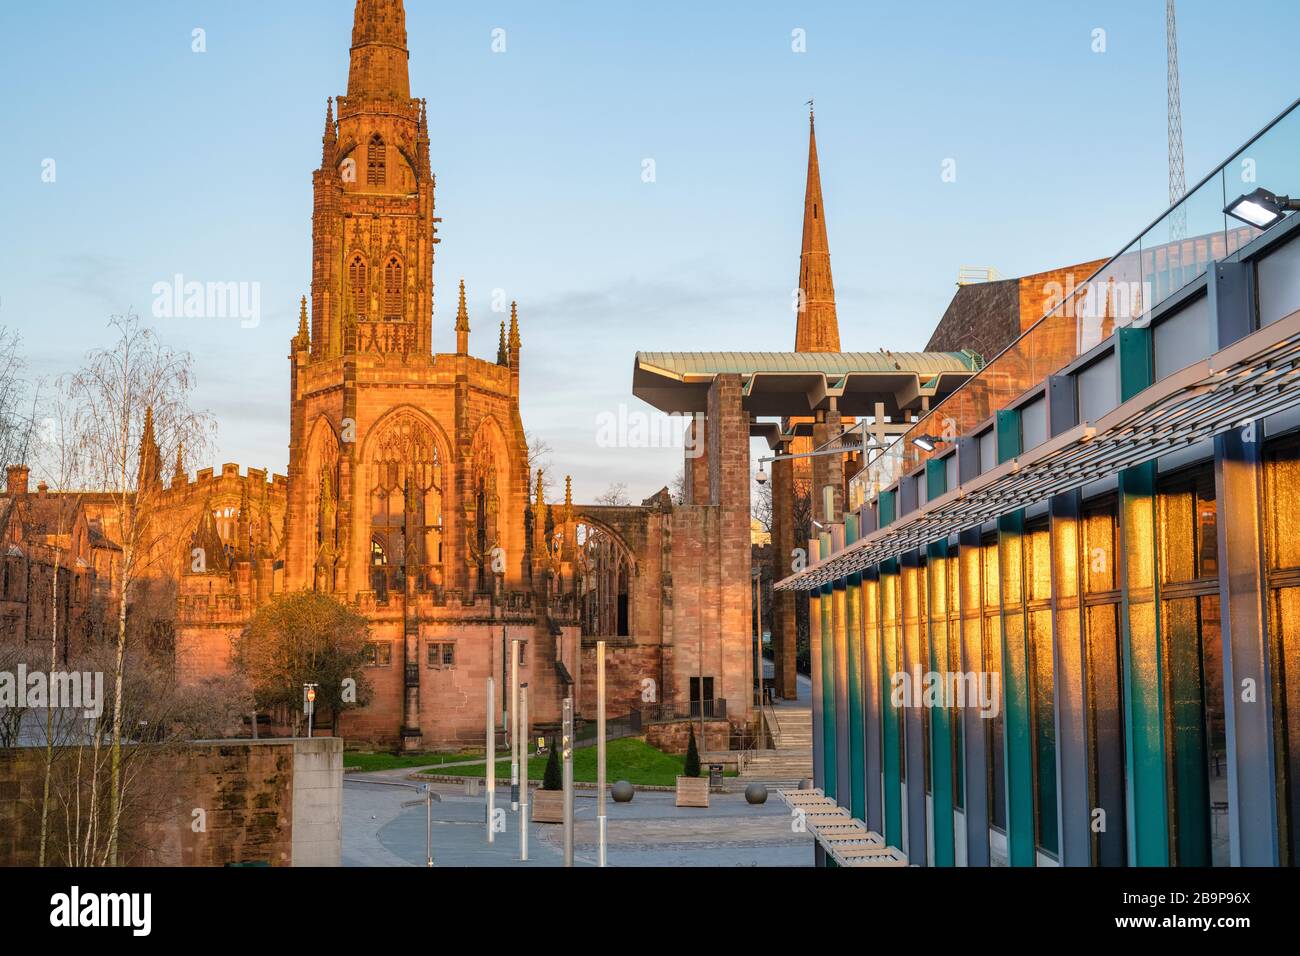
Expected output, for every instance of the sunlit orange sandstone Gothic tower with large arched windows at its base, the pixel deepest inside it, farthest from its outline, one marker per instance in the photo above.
(408, 468)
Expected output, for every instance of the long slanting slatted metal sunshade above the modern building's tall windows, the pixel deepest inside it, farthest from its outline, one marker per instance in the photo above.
(1253, 379)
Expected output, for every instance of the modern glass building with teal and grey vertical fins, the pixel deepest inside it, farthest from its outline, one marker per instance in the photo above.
(1060, 624)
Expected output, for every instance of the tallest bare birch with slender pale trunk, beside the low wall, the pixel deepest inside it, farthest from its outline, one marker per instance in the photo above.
(123, 393)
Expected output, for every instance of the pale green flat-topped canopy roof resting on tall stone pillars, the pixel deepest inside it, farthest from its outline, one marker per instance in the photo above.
(783, 384)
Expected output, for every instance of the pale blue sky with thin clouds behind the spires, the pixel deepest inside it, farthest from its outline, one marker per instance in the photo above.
(172, 162)
